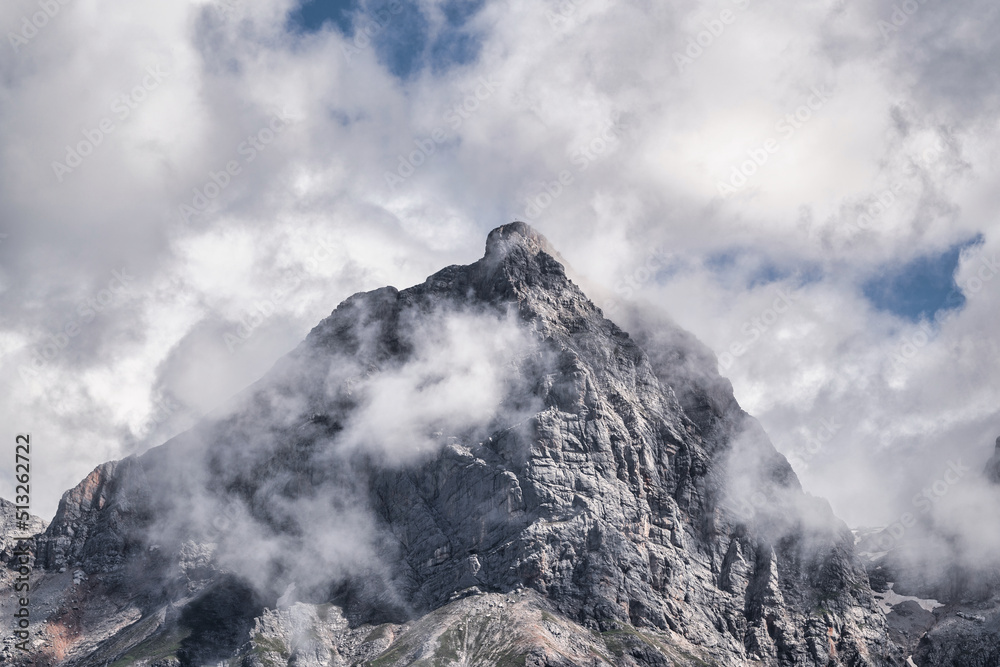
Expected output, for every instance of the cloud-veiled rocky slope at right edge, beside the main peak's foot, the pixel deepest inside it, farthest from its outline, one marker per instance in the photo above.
(942, 574)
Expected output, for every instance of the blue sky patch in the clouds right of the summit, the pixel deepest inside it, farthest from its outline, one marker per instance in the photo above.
(920, 288)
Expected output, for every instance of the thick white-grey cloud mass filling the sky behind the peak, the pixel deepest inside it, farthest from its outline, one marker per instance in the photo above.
(589, 114)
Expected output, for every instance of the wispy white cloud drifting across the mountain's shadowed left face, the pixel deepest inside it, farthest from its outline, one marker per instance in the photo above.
(276, 486)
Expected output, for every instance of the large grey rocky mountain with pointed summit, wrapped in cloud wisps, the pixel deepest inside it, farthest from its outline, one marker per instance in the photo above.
(478, 470)
